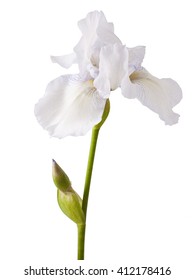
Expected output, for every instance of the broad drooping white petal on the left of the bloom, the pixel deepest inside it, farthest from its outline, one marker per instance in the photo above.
(70, 106)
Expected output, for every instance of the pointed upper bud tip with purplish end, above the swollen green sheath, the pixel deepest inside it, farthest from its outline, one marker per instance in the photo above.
(60, 179)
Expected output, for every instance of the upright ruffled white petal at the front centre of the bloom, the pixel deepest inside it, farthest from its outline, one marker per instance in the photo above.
(112, 68)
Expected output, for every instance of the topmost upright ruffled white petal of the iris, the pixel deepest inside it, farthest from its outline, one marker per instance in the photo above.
(96, 33)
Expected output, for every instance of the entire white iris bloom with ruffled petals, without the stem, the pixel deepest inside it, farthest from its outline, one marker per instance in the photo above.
(73, 104)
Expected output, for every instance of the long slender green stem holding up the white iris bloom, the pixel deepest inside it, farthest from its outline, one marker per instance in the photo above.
(93, 143)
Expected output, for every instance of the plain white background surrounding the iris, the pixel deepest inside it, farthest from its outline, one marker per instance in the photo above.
(141, 209)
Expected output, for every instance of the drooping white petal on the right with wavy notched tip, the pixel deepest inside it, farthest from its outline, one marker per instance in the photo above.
(159, 95)
